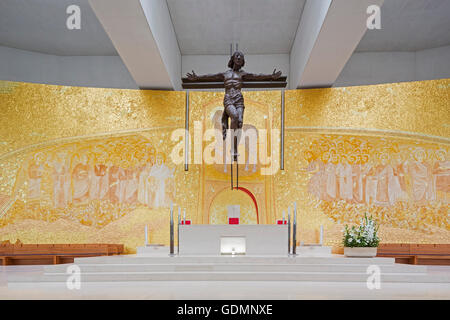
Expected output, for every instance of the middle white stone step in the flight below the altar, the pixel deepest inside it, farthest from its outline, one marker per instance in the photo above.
(207, 267)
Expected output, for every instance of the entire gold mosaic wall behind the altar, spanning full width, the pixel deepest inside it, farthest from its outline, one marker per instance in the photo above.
(90, 165)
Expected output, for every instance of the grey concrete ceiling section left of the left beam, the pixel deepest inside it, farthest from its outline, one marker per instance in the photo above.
(40, 25)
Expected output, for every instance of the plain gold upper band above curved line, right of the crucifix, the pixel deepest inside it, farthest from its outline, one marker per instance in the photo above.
(410, 107)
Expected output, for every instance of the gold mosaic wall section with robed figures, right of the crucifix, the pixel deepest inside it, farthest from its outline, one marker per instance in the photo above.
(381, 150)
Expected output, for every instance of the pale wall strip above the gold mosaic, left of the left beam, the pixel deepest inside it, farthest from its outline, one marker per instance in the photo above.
(89, 71)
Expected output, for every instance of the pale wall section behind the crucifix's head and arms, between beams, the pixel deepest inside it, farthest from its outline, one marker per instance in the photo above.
(204, 64)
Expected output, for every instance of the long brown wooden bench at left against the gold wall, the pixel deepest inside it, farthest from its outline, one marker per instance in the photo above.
(22, 254)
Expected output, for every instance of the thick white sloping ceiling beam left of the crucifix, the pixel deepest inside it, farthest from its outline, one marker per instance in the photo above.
(143, 35)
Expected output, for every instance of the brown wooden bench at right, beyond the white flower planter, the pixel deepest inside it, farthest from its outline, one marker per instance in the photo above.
(423, 254)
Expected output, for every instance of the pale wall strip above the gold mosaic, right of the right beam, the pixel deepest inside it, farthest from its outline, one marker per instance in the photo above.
(365, 68)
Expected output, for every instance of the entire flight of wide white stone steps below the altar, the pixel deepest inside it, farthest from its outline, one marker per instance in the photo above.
(241, 268)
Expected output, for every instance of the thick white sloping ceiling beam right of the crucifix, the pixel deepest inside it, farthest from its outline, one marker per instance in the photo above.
(328, 33)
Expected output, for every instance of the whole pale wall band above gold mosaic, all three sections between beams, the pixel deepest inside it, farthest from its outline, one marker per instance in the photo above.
(363, 68)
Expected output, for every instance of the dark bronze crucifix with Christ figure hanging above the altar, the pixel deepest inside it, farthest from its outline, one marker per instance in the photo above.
(233, 80)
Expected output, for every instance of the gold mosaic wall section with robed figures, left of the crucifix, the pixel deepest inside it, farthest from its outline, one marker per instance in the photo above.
(88, 165)
